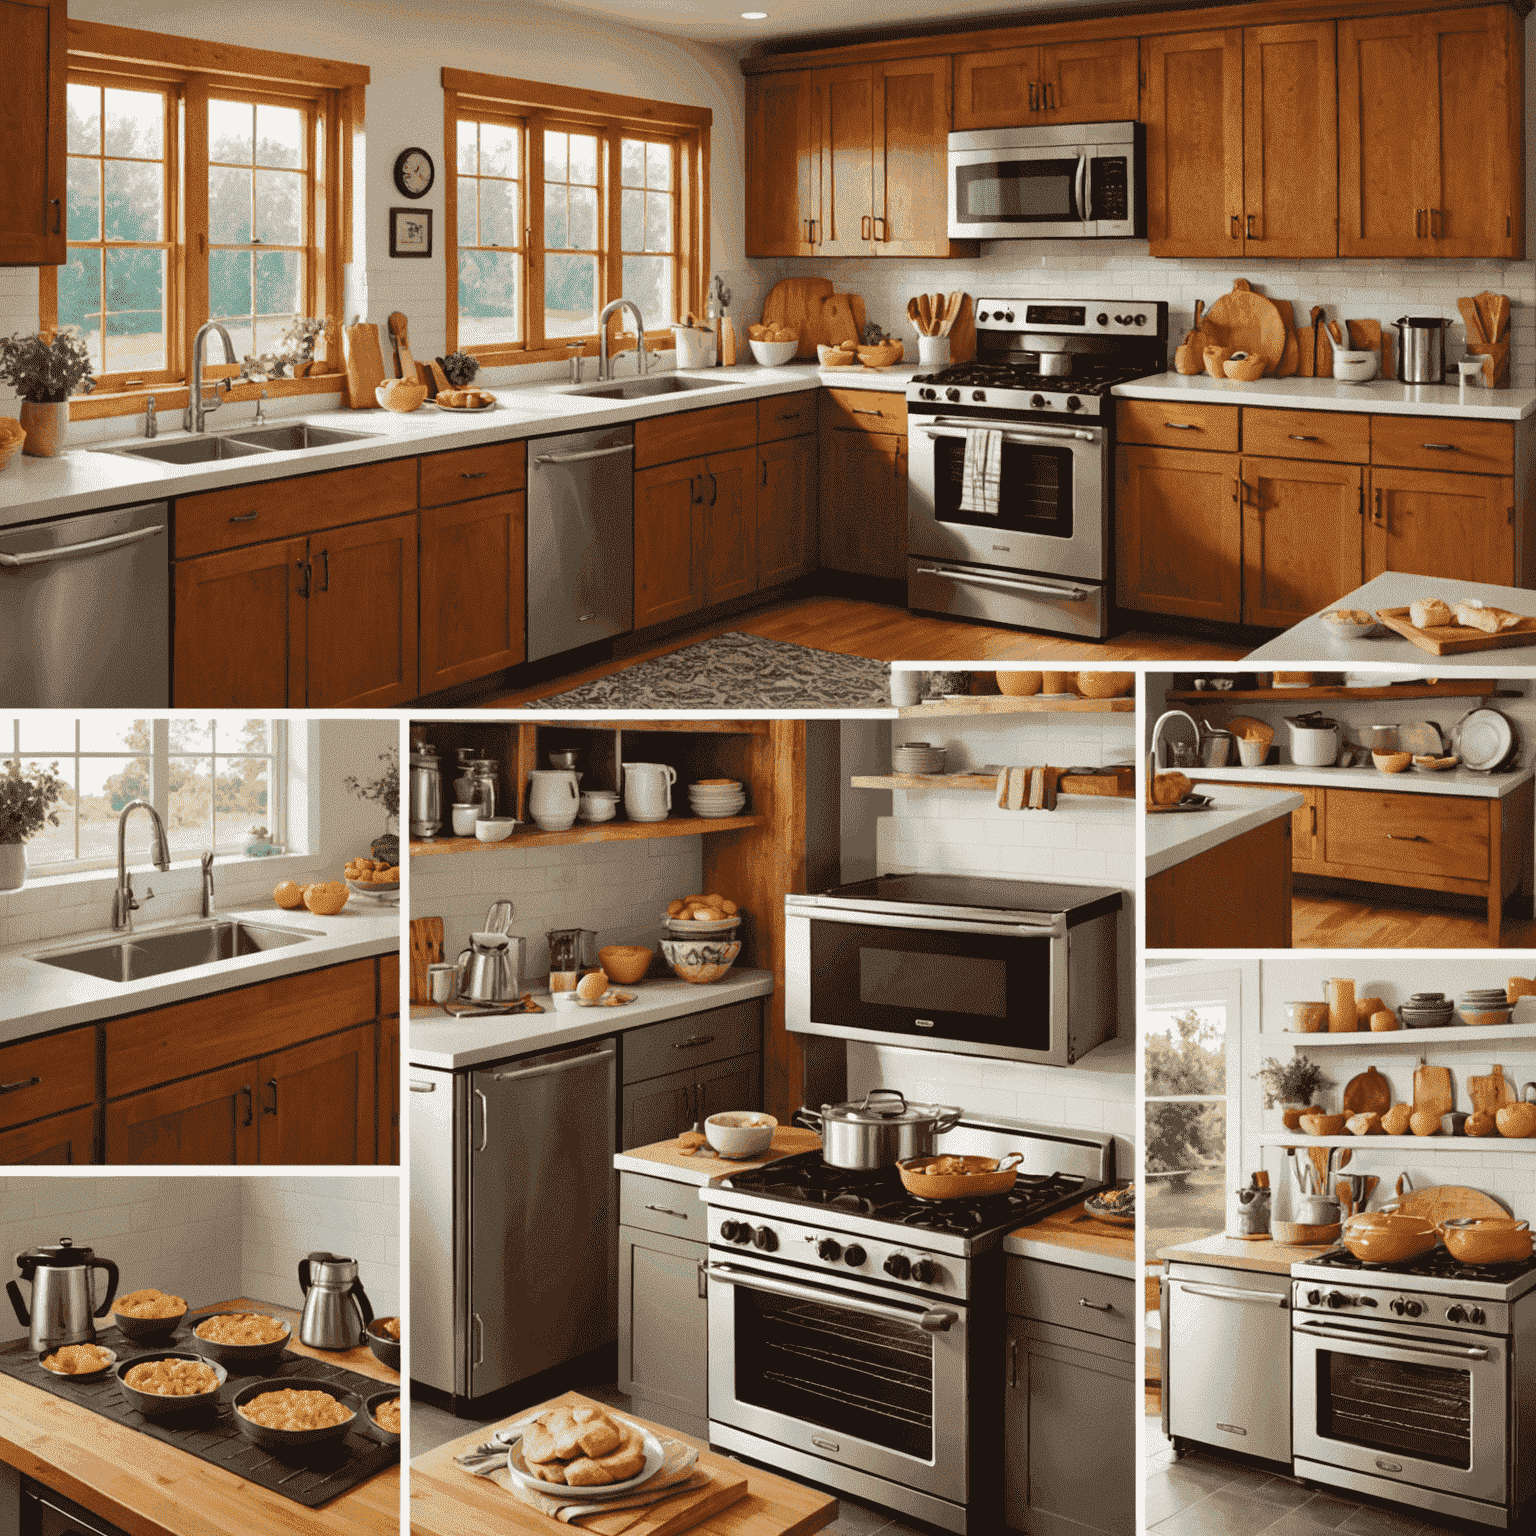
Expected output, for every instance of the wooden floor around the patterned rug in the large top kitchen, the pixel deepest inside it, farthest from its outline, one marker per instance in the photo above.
(893, 635)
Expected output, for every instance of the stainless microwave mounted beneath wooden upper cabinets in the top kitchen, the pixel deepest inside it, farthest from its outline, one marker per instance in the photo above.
(1068, 182)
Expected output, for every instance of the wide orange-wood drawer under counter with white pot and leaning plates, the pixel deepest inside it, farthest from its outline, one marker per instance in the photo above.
(1423, 835)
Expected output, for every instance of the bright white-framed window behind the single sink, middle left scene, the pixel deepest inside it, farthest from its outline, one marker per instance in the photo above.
(213, 780)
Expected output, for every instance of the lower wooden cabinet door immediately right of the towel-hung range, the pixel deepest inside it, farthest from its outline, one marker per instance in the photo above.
(1180, 535)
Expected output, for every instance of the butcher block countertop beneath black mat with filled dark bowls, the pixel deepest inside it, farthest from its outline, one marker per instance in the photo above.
(153, 1489)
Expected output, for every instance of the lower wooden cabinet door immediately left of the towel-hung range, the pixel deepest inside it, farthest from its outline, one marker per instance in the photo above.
(864, 495)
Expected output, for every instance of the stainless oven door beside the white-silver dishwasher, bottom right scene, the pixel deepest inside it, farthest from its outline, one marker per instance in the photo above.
(1425, 1411)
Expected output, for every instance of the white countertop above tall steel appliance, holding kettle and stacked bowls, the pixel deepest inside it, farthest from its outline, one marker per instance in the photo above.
(454, 1045)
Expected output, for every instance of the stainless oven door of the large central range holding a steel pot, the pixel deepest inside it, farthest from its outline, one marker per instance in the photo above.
(850, 1374)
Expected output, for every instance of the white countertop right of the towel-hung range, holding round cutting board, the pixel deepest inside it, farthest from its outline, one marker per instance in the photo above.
(1380, 397)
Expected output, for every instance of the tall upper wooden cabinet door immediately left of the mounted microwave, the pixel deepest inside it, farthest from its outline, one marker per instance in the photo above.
(912, 157)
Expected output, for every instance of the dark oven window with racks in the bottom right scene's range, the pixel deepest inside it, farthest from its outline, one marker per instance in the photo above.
(1409, 1411)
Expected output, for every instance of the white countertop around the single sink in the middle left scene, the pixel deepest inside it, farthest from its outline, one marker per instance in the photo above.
(38, 998)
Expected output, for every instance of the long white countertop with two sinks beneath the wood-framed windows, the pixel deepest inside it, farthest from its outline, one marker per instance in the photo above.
(85, 478)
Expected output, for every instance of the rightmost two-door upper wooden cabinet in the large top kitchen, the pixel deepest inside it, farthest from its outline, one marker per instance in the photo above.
(1432, 134)
